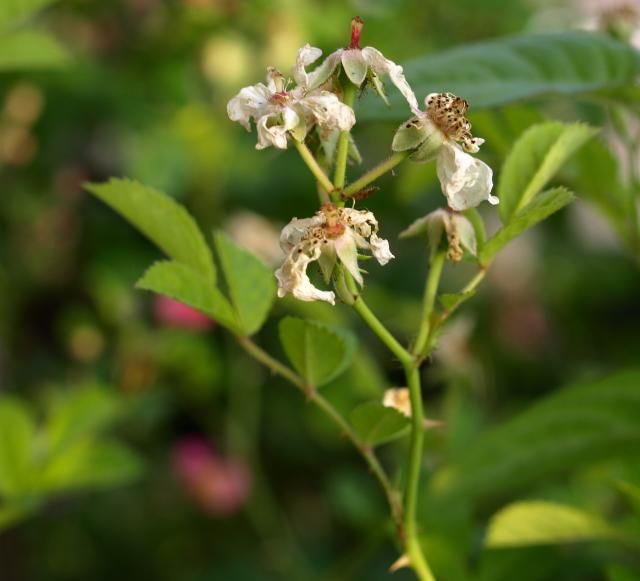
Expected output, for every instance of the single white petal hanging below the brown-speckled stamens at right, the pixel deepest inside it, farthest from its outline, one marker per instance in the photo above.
(466, 181)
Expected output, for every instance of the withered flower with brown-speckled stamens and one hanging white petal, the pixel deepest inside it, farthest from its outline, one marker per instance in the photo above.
(442, 132)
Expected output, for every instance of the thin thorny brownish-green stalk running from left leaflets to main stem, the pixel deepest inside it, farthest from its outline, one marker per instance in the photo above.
(393, 497)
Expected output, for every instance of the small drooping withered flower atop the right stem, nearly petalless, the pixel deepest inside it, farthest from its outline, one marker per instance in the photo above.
(460, 233)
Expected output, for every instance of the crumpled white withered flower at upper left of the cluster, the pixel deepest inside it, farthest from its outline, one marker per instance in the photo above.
(278, 112)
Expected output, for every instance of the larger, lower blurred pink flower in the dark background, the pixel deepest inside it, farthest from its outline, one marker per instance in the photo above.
(220, 486)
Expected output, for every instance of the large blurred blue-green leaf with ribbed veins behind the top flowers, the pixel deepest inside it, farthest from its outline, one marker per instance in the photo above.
(505, 70)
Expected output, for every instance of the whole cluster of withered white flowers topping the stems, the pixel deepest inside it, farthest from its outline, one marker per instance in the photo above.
(285, 109)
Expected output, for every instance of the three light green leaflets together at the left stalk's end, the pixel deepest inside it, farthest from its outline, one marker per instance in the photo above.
(191, 275)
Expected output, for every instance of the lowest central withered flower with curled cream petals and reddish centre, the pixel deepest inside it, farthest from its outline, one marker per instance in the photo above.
(332, 234)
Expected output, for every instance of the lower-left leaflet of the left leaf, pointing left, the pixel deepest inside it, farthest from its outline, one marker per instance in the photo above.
(180, 282)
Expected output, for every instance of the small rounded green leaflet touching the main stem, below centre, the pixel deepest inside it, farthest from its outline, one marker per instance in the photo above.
(377, 424)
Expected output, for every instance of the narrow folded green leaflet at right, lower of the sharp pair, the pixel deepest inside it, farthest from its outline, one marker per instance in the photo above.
(541, 207)
